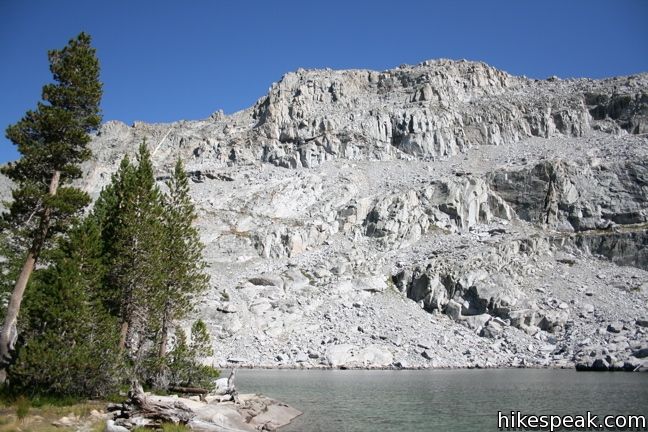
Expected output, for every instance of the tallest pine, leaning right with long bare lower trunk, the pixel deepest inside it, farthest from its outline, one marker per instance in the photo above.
(53, 142)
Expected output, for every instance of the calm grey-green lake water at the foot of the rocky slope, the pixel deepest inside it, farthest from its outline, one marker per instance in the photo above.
(441, 400)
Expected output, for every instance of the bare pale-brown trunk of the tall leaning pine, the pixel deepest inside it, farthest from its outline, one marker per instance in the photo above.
(9, 329)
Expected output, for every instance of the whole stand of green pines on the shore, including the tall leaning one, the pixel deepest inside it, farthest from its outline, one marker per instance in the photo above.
(105, 303)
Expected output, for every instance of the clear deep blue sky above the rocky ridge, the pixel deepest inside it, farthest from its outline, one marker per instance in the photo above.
(169, 60)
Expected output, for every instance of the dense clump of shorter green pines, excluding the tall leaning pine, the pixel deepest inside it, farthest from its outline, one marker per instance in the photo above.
(106, 310)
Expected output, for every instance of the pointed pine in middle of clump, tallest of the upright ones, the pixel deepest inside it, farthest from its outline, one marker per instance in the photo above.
(129, 213)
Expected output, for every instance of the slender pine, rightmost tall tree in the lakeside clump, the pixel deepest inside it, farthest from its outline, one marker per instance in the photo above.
(186, 277)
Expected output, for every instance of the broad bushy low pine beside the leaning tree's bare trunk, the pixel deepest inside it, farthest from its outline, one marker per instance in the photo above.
(69, 340)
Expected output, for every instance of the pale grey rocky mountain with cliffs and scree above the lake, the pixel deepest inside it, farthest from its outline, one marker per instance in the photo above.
(446, 214)
